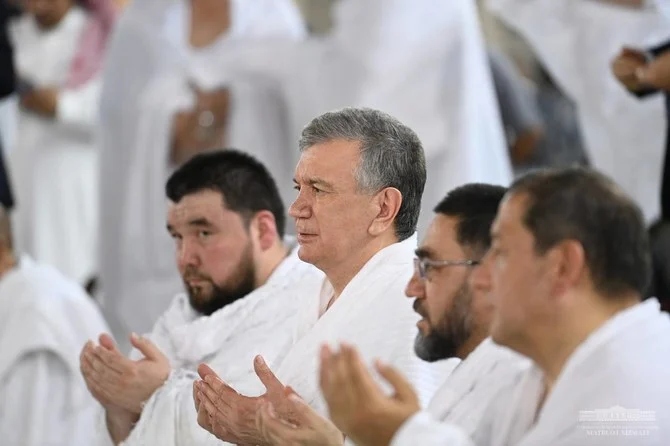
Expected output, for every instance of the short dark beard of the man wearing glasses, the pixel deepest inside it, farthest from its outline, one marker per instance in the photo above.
(445, 340)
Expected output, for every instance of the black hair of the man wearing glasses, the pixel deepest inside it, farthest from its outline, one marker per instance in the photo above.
(475, 206)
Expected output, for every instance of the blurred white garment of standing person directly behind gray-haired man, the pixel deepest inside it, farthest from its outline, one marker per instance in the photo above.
(421, 61)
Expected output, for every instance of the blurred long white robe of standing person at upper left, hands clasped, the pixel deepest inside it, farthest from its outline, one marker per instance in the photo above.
(54, 166)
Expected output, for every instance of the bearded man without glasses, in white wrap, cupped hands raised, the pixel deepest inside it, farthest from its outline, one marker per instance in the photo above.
(243, 290)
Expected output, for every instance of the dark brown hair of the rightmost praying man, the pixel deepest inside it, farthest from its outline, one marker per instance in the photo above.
(583, 205)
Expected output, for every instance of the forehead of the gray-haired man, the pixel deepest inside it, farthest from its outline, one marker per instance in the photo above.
(336, 159)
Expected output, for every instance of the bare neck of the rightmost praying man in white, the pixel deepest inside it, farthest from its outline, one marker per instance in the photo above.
(552, 354)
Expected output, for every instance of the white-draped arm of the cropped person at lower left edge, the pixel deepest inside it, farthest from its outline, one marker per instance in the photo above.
(36, 407)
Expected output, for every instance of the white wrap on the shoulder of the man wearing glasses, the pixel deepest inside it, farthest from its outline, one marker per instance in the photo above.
(463, 398)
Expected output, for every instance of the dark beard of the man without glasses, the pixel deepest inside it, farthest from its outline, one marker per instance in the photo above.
(244, 282)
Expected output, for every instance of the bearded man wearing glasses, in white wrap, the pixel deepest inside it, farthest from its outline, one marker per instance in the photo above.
(456, 311)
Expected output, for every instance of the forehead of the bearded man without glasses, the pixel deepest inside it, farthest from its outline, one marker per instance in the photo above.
(206, 204)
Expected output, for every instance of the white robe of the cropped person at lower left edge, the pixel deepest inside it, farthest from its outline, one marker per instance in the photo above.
(45, 320)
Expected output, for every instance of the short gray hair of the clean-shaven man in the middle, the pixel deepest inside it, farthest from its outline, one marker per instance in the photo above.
(391, 156)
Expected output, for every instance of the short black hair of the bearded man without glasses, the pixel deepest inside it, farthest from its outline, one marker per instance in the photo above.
(244, 183)
